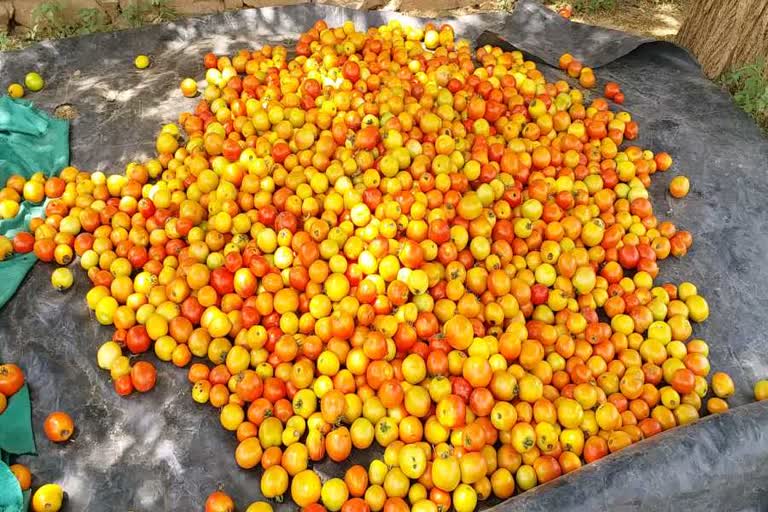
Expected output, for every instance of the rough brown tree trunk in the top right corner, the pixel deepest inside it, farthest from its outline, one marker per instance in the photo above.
(724, 34)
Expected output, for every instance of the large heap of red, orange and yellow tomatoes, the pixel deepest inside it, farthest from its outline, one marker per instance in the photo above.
(391, 240)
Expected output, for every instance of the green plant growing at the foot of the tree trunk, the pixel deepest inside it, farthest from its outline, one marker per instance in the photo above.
(749, 87)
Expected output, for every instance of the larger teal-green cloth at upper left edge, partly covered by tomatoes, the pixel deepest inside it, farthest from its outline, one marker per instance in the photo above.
(30, 141)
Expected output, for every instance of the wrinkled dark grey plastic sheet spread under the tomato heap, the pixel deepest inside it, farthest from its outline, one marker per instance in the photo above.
(161, 451)
